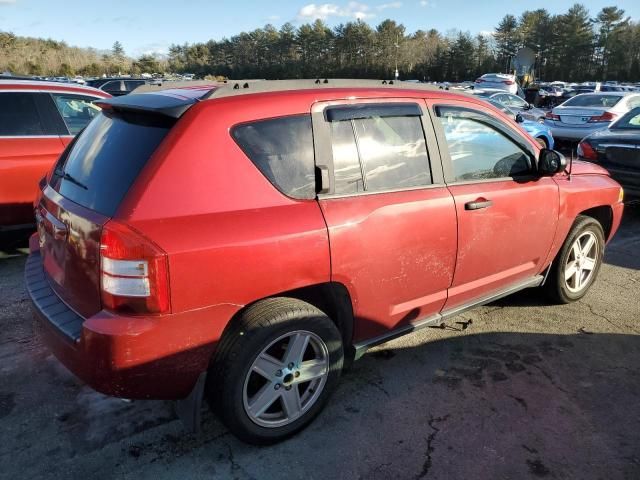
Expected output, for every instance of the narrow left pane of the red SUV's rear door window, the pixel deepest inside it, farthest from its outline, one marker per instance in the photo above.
(346, 165)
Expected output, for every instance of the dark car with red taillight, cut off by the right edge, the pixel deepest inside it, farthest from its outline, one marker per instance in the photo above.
(617, 149)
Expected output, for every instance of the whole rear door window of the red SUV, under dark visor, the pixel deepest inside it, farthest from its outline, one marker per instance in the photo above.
(379, 150)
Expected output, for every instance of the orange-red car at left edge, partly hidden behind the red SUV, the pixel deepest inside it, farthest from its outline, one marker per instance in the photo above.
(37, 120)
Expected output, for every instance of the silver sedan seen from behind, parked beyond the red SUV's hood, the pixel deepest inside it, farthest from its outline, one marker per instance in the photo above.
(586, 113)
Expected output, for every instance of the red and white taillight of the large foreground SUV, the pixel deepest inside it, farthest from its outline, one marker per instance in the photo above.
(134, 272)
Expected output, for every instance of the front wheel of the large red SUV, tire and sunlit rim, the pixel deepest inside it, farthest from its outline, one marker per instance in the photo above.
(561, 286)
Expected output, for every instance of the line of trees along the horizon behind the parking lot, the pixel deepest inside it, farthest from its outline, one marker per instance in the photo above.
(572, 46)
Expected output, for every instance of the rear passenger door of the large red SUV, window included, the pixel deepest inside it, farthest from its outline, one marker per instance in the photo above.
(390, 218)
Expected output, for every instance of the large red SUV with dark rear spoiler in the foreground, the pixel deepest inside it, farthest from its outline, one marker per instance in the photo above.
(249, 241)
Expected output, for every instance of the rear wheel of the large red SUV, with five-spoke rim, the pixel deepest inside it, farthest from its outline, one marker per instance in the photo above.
(254, 369)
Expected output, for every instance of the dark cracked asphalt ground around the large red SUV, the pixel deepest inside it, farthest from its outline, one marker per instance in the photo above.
(527, 390)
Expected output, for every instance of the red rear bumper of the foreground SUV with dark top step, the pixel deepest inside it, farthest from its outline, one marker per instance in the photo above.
(129, 357)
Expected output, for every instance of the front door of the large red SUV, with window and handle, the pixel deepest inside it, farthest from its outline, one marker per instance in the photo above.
(507, 214)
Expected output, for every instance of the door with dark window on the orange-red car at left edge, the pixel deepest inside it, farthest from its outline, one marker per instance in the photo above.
(29, 144)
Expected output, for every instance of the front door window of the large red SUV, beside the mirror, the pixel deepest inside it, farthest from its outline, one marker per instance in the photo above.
(477, 147)
